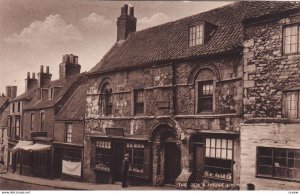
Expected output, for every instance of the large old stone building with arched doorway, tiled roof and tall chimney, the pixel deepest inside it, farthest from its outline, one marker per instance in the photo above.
(171, 97)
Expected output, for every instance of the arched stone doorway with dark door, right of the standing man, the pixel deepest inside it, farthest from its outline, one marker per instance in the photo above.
(166, 155)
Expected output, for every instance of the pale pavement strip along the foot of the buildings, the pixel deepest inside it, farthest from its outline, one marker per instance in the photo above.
(72, 185)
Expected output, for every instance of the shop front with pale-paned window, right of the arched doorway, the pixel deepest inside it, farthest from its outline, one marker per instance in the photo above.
(213, 157)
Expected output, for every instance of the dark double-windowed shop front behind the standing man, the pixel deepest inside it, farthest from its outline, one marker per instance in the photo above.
(108, 153)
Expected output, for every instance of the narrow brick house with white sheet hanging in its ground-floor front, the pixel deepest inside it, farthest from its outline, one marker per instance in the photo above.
(68, 144)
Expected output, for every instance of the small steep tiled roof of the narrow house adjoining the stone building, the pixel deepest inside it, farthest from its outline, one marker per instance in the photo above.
(74, 108)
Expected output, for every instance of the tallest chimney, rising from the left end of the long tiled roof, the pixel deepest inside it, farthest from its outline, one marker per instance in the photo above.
(126, 23)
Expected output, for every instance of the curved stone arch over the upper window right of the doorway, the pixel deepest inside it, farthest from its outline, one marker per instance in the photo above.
(208, 65)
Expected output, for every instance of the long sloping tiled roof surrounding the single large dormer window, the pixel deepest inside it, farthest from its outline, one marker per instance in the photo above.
(169, 41)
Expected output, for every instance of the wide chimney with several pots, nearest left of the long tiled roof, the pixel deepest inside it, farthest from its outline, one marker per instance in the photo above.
(69, 66)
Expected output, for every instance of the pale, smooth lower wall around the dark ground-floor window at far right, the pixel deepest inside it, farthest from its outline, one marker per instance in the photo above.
(269, 135)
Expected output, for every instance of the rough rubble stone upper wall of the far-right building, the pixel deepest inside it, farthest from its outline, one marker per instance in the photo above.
(267, 70)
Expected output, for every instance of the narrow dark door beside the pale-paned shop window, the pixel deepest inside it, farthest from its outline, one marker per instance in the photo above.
(198, 161)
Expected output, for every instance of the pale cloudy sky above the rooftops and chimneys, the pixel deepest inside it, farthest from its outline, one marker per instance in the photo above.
(40, 32)
